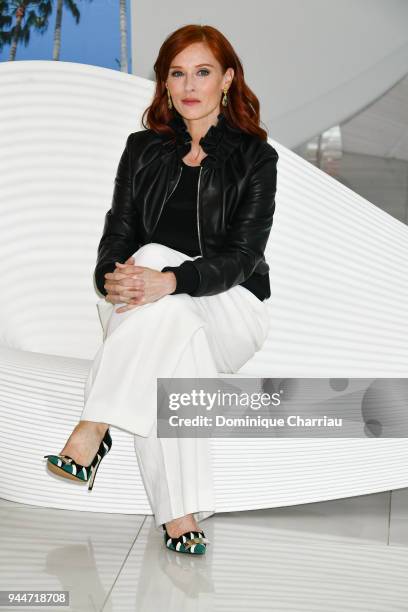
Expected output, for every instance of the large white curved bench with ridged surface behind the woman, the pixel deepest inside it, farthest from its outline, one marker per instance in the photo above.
(338, 305)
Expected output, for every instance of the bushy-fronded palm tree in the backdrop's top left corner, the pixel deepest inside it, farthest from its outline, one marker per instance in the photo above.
(28, 14)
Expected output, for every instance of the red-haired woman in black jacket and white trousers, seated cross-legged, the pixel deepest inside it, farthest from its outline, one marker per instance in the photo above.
(182, 252)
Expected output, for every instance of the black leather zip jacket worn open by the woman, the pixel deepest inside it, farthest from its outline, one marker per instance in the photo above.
(235, 201)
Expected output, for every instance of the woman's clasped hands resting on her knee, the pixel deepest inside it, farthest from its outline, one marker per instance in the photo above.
(137, 285)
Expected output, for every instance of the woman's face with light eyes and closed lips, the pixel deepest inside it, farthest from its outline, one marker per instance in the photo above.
(195, 74)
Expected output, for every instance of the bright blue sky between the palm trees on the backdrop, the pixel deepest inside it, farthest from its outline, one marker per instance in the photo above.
(95, 40)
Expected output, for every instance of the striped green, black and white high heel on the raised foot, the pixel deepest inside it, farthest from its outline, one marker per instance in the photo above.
(65, 466)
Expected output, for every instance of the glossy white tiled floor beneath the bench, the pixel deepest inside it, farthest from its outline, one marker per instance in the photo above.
(342, 555)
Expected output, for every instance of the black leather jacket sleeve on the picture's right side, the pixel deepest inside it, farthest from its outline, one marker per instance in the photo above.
(246, 238)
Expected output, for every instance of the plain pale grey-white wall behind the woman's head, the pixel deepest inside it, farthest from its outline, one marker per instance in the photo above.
(312, 63)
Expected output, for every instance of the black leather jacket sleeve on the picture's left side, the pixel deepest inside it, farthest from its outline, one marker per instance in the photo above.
(119, 239)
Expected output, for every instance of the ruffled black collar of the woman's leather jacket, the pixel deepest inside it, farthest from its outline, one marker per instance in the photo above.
(219, 141)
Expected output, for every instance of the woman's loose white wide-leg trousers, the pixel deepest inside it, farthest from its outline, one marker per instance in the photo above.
(177, 336)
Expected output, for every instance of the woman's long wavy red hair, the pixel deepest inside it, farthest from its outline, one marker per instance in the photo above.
(242, 110)
